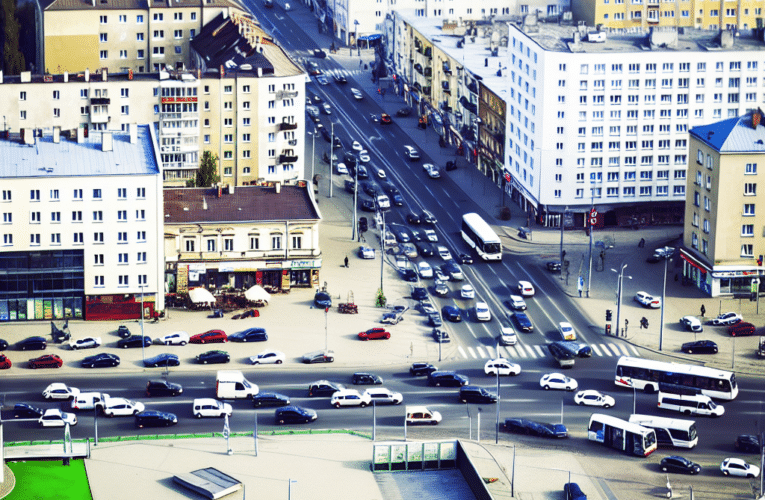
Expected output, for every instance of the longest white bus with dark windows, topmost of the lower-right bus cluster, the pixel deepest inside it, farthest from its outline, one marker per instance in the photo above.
(646, 375)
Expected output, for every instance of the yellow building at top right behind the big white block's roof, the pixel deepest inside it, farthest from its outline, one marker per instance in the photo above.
(642, 15)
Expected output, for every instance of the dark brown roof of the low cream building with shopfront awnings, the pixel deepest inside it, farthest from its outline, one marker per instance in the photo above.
(246, 204)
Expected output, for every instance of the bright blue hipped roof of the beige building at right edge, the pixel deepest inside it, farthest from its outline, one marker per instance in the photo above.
(734, 135)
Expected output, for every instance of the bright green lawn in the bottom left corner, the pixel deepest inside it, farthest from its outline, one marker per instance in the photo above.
(44, 480)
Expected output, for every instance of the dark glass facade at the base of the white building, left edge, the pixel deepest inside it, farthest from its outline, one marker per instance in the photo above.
(41, 285)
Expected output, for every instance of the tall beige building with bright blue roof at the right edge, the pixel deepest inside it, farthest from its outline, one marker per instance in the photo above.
(723, 240)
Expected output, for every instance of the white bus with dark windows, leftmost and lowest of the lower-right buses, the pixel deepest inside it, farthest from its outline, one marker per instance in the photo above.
(621, 435)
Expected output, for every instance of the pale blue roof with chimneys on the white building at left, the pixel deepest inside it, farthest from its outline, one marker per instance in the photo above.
(67, 158)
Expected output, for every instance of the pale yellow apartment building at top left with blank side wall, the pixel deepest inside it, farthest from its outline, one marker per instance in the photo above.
(124, 35)
